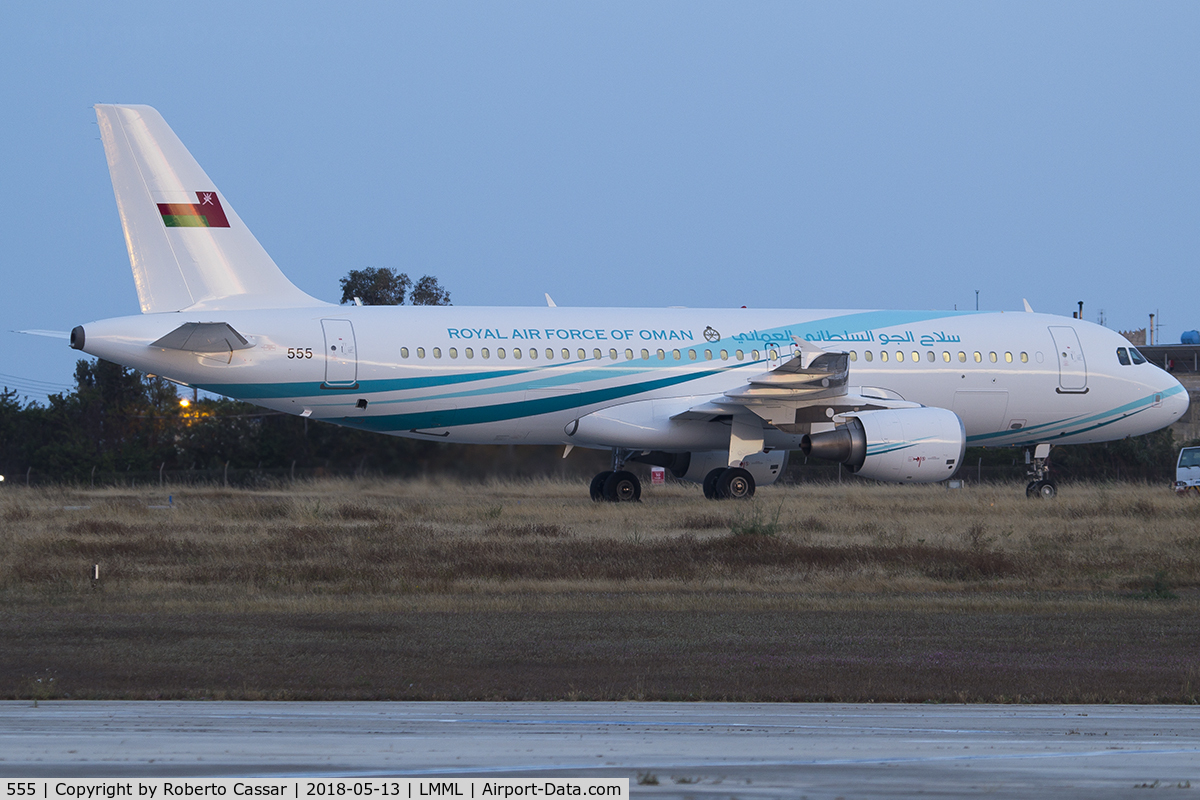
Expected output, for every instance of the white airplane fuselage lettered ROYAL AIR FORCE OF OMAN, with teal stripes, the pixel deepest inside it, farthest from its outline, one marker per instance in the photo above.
(491, 376)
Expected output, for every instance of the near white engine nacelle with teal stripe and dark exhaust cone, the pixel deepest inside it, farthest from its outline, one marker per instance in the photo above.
(905, 446)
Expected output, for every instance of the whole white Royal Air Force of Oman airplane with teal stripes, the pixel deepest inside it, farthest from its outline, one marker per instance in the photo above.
(719, 396)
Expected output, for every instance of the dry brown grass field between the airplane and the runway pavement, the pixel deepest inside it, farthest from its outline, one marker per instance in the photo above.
(437, 590)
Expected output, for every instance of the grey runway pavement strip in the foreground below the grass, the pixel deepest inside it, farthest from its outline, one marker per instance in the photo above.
(692, 750)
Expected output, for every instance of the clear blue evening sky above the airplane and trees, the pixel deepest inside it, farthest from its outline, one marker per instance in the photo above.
(895, 155)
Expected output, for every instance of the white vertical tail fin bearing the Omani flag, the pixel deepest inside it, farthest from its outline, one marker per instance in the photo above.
(188, 246)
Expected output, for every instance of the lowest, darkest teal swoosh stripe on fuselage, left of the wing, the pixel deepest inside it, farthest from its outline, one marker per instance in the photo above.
(459, 417)
